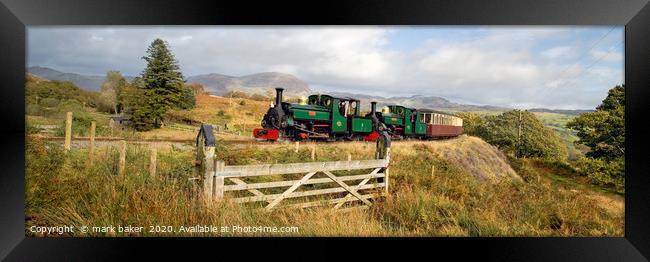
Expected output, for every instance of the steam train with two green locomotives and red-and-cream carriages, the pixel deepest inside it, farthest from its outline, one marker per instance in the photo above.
(329, 118)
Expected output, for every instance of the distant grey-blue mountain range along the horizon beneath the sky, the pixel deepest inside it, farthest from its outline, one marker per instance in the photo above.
(264, 83)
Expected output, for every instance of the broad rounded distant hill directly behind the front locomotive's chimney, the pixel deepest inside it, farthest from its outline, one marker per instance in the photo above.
(261, 83)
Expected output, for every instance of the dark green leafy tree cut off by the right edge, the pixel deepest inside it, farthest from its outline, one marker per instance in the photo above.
(603, 131)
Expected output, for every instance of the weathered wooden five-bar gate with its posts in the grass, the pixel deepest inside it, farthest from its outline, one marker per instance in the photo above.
(219, 178)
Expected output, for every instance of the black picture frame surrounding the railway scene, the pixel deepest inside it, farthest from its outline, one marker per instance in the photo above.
(15, 15)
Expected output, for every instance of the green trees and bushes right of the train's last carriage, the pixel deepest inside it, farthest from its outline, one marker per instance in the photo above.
(522, 134)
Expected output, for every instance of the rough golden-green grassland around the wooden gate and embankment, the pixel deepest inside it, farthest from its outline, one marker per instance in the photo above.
(468, 195)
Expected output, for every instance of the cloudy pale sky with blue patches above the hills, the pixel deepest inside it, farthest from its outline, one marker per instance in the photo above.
(557, 67)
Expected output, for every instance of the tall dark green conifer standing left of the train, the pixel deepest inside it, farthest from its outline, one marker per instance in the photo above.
(162, 82)
